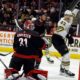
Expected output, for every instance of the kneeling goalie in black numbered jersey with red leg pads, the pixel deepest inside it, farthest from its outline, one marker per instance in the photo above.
(27, 44)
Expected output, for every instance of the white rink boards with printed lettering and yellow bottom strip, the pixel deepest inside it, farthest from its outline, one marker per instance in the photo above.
(6, 41)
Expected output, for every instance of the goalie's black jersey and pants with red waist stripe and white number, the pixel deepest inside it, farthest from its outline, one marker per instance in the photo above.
(26, 45)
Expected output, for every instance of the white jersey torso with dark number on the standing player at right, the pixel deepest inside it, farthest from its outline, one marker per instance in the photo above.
(63, 27)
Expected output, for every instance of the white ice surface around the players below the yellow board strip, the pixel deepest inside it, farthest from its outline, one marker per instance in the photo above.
(53, 69)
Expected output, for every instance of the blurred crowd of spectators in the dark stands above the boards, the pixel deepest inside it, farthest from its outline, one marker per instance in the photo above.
(23, 10)
